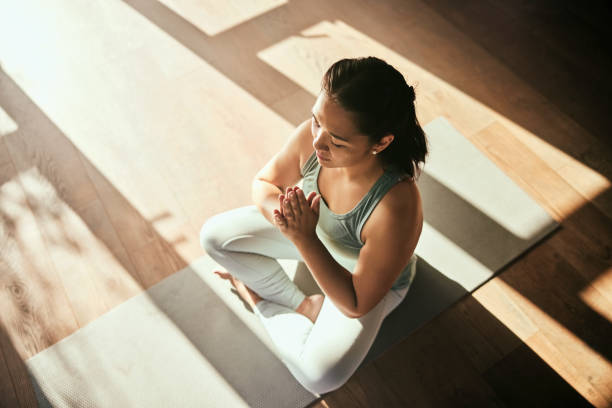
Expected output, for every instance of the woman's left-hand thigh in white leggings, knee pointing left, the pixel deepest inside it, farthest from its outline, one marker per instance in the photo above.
(245, 229)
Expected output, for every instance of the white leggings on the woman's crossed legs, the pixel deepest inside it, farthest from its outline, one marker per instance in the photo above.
(321, 356)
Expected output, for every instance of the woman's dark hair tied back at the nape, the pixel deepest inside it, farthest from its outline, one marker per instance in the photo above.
(381, 102)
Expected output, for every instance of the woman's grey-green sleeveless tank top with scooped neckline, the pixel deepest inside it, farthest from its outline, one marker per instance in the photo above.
(341, 233)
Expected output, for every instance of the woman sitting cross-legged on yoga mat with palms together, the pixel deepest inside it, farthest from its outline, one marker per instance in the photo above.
(358, 156)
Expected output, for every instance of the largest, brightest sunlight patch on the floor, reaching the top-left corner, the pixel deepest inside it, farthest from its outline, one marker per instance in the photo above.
(145, 111)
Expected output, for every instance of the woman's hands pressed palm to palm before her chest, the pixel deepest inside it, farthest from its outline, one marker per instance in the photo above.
(298, 215)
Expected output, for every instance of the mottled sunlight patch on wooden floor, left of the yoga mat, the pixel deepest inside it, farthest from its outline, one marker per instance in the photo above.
(85, 266)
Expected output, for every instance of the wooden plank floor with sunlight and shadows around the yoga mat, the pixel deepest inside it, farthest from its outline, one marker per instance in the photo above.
(125, 125)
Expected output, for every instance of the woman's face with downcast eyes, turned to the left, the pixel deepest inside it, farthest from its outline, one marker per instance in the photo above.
(335, 137)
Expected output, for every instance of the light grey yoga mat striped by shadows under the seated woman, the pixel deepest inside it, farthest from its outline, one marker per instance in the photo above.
(190, 341)
